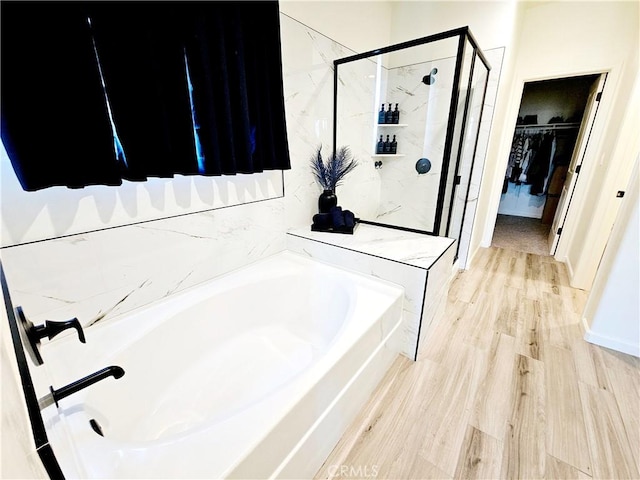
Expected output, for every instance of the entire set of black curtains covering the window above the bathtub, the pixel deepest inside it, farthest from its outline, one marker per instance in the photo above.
(232, 50)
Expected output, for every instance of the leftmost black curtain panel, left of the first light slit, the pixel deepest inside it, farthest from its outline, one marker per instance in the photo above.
(54, 118)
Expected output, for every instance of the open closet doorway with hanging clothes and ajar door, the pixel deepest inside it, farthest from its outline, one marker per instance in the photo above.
(550, 137)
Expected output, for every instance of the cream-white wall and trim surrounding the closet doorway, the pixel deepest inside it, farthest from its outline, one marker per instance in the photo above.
(559, 39)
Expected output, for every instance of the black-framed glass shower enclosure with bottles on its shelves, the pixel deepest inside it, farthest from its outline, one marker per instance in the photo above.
(439, 83)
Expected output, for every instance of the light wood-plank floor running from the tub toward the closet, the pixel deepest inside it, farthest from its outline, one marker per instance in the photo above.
(505, 387)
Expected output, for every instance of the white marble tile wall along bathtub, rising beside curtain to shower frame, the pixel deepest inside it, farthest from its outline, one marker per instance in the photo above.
(103, 273)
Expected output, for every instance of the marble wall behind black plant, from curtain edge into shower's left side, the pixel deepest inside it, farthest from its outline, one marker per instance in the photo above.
(308, 86)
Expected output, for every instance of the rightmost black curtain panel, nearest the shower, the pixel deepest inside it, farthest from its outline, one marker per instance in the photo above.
(235, 57)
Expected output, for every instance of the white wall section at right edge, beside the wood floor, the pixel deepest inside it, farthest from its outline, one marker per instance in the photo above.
(612, 314)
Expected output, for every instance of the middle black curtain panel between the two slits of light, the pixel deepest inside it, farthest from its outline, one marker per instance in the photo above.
(142, 60)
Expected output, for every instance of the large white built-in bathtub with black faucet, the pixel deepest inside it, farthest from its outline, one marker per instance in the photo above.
(255, 374)
